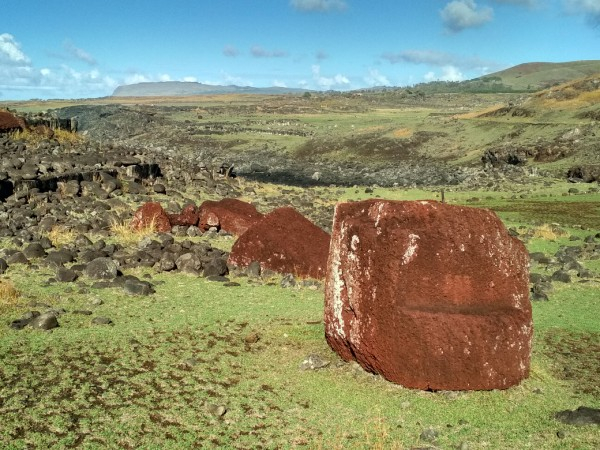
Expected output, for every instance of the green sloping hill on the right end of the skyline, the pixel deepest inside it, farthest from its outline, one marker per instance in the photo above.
(535, 76)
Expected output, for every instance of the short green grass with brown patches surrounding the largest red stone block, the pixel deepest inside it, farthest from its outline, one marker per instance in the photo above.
(202, 365)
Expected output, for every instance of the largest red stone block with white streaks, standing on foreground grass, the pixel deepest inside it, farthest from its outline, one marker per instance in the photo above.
(429, 295)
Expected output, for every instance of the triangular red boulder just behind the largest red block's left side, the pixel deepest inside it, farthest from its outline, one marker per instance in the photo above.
(286, 242)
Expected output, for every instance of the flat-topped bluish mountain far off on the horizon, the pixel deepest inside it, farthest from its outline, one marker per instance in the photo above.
(183, 88)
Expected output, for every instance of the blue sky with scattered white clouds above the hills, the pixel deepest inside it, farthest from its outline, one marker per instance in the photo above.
(87, 48)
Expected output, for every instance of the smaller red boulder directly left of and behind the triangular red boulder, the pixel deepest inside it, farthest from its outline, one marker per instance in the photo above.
(229, 214)
